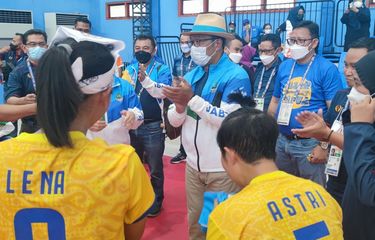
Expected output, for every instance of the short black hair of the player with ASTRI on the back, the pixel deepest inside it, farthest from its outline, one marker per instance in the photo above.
(251, 133)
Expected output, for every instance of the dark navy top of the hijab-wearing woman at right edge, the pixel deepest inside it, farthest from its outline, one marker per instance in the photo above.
(359, 197)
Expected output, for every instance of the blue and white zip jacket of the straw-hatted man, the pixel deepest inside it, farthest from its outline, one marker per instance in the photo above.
(202, 119)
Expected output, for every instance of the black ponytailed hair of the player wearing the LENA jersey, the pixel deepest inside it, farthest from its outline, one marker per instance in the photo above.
(58, 94)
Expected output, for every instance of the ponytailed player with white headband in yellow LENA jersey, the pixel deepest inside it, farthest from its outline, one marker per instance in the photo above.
(57, 184)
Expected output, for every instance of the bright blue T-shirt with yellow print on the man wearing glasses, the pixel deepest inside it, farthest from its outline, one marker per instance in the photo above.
(322, 82)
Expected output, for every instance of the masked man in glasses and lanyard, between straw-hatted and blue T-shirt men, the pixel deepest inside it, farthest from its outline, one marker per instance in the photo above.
(269, 48)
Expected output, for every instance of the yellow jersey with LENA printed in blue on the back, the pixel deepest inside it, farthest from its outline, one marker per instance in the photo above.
(86, 192)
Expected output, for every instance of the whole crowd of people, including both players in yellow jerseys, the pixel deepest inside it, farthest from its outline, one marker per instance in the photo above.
(289, 145)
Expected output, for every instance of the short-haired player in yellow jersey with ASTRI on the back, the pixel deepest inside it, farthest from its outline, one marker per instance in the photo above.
(272, 204)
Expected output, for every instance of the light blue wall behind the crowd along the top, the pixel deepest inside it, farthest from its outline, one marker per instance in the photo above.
(166, 21)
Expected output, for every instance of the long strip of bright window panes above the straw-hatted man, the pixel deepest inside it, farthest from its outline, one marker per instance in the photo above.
(188, 7)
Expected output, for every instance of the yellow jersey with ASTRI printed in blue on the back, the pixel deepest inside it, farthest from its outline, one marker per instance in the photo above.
(277, 206)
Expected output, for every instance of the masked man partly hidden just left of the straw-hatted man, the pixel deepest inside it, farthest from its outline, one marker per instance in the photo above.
(182, 65)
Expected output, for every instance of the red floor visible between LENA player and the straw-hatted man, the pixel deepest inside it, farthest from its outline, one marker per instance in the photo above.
(171, 224)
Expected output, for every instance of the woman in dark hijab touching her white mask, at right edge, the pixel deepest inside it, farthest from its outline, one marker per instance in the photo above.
(359, 155)
